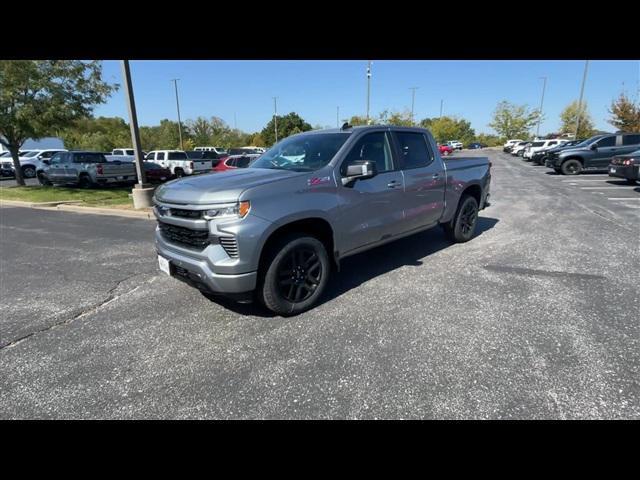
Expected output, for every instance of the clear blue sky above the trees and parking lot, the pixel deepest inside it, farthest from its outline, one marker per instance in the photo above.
(470, 89)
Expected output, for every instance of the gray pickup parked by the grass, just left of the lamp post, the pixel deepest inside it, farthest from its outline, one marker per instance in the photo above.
(85, 169)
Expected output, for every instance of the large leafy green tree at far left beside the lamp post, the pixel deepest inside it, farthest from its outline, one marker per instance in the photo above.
(41, 97)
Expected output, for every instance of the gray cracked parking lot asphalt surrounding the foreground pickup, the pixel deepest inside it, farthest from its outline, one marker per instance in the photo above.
(536, 317)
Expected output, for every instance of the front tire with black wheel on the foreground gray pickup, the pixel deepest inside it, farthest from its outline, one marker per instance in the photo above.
(305, 259)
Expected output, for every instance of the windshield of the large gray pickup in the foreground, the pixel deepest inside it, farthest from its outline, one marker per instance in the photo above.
(302, 153)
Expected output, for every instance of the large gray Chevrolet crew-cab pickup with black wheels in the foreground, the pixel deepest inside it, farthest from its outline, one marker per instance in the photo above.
(275, 230)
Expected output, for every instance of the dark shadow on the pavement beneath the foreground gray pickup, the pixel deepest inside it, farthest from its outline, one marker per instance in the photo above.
(360, 268)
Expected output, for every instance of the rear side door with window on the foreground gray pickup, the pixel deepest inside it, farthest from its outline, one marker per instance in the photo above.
(424, 180)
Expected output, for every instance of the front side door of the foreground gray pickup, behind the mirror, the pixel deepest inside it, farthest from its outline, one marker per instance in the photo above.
(370, 209)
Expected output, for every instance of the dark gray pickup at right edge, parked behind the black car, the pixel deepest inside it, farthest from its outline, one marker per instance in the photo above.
(594, 154)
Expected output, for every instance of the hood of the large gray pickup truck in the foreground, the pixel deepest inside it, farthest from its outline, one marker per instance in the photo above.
(222, 187)
